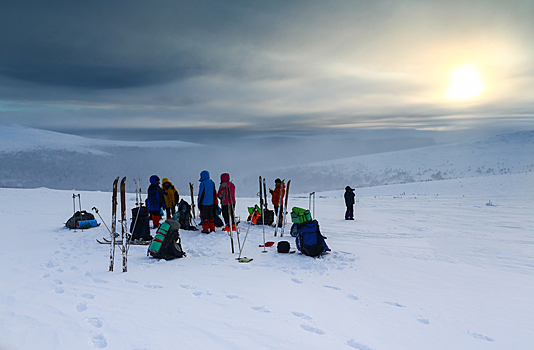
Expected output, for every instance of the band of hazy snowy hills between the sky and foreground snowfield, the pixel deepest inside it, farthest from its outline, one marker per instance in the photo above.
(32, 158)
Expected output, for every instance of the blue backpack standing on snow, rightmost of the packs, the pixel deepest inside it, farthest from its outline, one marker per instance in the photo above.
(309, 239)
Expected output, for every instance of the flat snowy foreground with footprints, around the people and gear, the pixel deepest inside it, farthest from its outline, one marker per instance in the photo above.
(428, 265)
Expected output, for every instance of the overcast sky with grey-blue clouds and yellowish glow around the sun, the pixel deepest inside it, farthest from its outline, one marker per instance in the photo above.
(265, 65)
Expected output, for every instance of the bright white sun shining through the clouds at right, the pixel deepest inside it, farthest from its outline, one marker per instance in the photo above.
(466, 82)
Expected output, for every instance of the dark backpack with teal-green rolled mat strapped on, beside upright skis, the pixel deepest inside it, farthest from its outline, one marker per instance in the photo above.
(167, 243)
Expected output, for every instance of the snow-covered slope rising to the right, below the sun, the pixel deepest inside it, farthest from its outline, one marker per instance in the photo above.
(502, 154)
